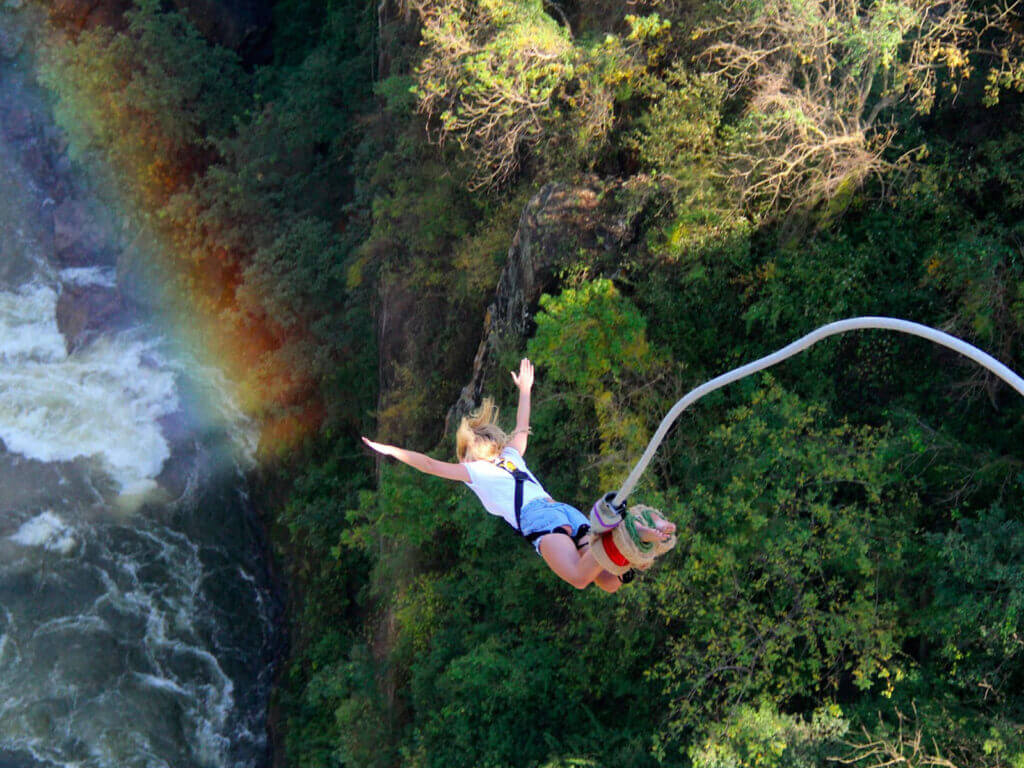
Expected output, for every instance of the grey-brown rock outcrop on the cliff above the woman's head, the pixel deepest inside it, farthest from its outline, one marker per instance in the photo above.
(599, 219)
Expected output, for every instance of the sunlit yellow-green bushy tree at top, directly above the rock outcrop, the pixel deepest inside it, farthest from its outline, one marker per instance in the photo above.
(507, 82)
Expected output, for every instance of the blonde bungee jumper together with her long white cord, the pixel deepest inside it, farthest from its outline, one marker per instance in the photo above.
(617, 540)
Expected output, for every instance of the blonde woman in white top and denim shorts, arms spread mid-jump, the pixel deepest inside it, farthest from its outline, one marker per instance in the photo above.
(491, 464)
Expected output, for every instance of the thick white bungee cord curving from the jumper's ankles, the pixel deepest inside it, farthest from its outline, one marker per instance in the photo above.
(854, 324)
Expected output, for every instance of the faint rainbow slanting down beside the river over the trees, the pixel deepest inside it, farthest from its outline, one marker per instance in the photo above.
(195, 286)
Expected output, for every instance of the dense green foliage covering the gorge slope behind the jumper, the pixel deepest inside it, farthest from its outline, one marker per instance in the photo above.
(849, 582)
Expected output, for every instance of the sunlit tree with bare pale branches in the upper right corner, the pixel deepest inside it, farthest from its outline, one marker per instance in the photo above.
(821, 82)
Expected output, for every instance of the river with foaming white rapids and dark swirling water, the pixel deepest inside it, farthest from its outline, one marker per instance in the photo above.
(137, 621)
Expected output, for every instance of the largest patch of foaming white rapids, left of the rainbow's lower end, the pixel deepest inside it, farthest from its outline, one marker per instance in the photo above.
(101, 404)
